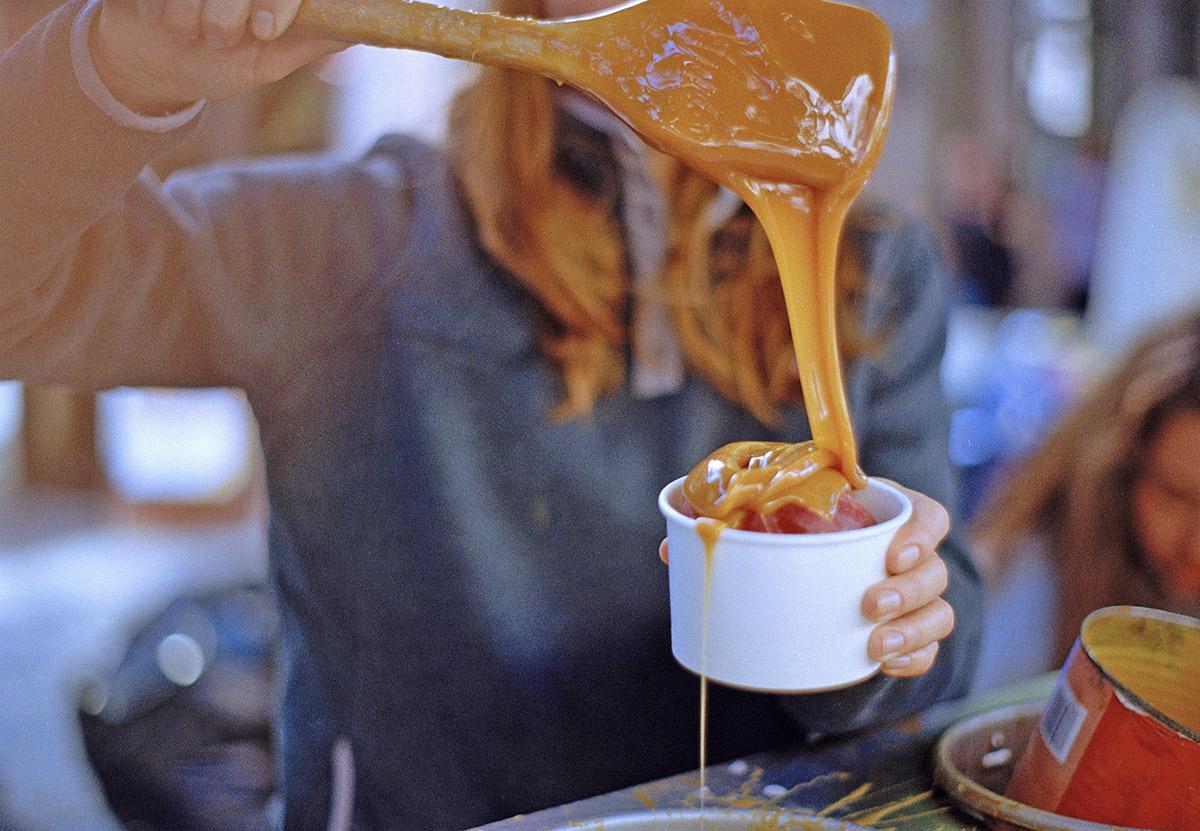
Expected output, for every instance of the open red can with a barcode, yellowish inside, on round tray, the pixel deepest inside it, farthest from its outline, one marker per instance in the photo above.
(1119, 742)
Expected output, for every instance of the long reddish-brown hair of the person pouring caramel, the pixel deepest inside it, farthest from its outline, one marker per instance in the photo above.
(566, 246)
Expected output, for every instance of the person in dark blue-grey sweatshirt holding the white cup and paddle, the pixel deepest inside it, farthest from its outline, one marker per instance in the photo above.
(472, 374)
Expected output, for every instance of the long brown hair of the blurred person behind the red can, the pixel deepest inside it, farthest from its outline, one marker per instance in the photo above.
(1076, 491)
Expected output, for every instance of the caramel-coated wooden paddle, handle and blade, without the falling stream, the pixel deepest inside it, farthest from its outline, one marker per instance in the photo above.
(779, 91)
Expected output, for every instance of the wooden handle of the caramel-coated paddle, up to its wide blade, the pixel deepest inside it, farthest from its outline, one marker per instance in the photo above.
(453, 33)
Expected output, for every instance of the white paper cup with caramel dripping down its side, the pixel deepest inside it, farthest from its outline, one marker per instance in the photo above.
(785, 612)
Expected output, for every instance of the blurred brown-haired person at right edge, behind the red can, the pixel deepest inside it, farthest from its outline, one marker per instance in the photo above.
(1112, 500)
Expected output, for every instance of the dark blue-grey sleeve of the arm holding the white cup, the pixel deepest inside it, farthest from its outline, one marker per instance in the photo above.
(903, 423)
